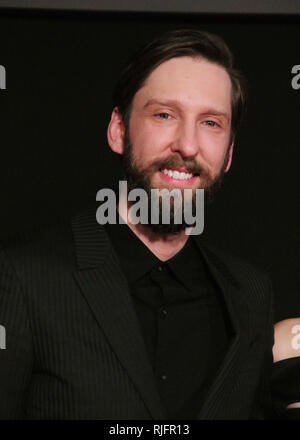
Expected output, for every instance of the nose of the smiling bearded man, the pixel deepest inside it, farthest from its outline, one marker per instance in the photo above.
(186, 142)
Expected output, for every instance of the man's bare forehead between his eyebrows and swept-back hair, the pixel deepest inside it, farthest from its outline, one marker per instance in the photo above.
(191, 81)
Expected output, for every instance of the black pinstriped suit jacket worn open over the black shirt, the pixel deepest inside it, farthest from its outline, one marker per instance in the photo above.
(74, 349)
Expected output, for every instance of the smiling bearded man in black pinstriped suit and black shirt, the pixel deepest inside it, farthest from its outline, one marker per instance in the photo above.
(137, 320)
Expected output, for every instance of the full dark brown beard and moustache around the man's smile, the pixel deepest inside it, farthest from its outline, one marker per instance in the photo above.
(141, 179)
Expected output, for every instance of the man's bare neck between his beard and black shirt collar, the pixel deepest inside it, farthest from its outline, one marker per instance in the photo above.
(164, 246)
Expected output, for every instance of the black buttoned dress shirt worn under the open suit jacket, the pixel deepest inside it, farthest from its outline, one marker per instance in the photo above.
(182, 319)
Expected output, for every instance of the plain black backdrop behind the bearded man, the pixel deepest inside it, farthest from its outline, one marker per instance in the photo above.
(61, 68)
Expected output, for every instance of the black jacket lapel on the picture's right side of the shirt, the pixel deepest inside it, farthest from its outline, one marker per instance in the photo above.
(238, 314)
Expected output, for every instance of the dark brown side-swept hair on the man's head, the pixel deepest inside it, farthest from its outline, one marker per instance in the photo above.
(173, 44)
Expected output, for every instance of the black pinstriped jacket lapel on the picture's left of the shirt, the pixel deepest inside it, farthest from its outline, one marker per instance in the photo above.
(104, 286)
